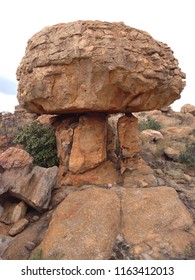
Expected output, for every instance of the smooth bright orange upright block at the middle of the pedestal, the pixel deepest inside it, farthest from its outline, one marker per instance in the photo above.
(89, 143)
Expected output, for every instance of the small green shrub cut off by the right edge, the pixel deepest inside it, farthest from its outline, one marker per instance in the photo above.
(188, 156)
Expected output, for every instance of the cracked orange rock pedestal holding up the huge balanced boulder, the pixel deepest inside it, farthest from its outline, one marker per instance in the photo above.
(94, 151)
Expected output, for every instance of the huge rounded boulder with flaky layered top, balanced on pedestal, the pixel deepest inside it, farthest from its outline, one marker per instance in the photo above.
(88, 66)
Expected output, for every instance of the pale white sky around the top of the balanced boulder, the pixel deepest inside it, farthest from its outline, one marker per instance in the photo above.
(169, 21)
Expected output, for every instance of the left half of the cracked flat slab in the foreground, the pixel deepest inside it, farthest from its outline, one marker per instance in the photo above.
(84, 226)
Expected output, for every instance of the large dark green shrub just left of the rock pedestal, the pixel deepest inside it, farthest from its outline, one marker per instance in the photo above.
(40, 142)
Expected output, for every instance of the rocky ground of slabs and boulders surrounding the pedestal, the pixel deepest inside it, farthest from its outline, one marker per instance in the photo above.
(150, 215)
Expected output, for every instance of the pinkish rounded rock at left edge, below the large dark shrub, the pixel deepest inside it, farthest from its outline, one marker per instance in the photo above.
(15, 158)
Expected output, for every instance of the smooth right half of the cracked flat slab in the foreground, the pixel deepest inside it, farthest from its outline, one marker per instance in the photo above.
(152, 212)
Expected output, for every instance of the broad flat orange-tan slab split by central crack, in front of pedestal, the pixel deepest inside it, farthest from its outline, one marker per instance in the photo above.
(154, 224)
